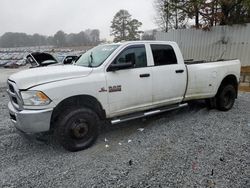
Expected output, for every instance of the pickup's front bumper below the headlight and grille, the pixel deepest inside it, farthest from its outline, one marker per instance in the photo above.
(30, 121)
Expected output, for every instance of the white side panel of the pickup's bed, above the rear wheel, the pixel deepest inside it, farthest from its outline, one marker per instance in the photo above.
(204, 78)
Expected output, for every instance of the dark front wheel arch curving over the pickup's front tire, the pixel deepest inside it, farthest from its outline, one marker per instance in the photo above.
(79, 101)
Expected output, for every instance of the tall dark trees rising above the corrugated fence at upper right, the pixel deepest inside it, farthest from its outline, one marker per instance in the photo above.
(177, 14)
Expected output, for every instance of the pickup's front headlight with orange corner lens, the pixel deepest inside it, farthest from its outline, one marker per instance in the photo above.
(35, 98)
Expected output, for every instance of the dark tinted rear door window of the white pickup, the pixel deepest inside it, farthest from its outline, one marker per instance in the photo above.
(163, 54)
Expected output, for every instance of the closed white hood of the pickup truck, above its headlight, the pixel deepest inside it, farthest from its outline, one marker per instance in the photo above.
(37, 76)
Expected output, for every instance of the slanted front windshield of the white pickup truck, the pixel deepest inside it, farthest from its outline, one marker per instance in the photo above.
(96, 56)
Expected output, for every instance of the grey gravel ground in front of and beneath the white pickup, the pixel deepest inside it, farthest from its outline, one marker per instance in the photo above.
(192, 147)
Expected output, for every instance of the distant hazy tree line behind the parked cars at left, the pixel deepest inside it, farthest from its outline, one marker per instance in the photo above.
(60, 39)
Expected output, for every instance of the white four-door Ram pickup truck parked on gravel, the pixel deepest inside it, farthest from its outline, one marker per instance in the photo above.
(115, 82)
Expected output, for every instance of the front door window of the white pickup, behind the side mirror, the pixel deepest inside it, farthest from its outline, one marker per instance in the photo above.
(135, 55)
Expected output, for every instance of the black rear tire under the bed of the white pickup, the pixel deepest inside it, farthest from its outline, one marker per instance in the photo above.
(226, 98)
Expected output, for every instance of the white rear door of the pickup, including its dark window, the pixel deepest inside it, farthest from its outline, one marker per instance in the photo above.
(169, 77)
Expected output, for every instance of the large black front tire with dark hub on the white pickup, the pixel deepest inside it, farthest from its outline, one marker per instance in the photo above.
(77, 129)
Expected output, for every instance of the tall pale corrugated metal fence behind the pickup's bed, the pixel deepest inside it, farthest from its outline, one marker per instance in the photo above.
(221, 42)
